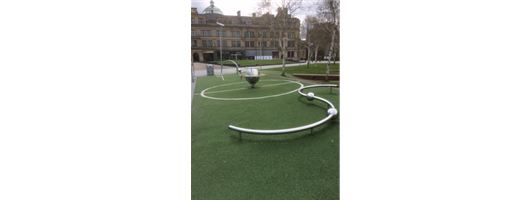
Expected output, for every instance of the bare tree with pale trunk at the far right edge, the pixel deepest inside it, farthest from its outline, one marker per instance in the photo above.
(329, 10)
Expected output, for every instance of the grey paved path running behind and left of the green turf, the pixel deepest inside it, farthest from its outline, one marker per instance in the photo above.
(200, 70)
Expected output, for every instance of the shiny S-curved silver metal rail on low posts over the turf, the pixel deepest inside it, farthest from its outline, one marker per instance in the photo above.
(332, 114)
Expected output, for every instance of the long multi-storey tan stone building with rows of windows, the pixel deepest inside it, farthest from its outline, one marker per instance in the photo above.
(240, 37)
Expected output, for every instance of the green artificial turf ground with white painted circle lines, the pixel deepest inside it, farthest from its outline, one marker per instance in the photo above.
(296, 165)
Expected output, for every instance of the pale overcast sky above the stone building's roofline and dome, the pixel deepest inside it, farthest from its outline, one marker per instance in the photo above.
(247, 7)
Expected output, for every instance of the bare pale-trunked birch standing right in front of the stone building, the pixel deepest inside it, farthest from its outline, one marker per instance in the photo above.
(282, 26)
